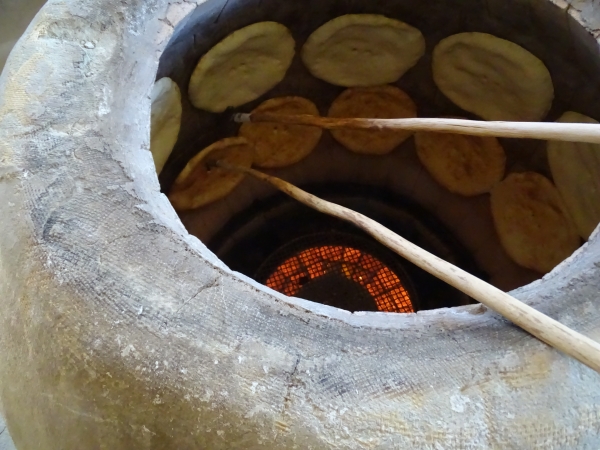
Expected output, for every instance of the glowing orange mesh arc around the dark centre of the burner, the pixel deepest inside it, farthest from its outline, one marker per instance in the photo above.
(308, 265)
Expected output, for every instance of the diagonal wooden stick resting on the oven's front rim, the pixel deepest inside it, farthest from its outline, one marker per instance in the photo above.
(541, 326)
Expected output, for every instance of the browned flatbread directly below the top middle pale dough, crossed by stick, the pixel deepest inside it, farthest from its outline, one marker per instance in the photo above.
(377, 102)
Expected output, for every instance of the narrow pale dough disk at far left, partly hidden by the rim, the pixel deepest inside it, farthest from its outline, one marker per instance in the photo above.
(165, 120)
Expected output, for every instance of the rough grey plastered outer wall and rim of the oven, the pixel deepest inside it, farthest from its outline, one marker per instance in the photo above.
(119, 330)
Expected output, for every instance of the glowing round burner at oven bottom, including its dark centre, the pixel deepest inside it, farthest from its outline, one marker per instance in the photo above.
(341, 276)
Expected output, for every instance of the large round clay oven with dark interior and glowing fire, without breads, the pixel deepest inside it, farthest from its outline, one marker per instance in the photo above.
(124, 325)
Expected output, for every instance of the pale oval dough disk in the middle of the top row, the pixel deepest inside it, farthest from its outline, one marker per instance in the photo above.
(362, 50)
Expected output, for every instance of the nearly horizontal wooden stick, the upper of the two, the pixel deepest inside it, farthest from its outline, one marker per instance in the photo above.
(559, 131)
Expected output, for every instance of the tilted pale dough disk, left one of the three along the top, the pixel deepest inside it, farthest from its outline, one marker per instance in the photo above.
(242, 67)
